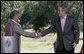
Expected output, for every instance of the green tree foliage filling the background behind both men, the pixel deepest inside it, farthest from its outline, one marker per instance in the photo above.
(40, 13)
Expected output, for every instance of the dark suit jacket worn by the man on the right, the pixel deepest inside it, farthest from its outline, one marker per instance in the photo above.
(68, 36)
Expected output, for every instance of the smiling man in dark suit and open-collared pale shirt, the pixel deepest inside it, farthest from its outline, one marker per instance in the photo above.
(67, 32)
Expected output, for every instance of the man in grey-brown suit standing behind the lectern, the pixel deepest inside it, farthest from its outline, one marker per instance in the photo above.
(12, 28)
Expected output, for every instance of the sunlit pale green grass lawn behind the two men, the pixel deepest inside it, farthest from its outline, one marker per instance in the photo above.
(43, 45)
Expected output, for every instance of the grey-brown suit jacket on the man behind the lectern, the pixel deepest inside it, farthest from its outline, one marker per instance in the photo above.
(14, 29)
